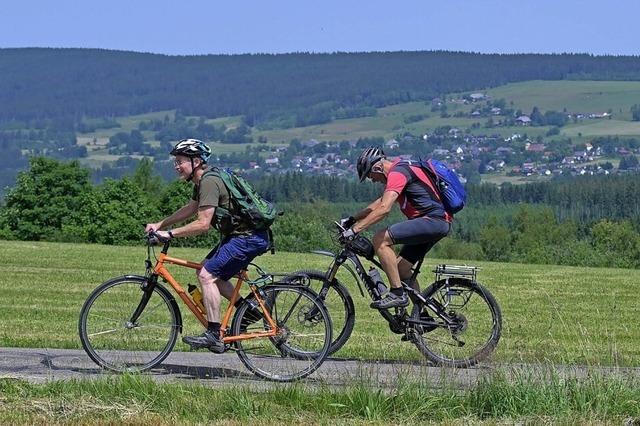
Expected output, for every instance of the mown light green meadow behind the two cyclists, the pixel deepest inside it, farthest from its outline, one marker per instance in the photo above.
(552, 314)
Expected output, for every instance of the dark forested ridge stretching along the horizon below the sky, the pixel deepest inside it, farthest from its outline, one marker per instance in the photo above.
(39, 83)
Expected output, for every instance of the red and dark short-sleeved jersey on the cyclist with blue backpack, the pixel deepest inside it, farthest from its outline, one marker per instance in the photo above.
(417, 193)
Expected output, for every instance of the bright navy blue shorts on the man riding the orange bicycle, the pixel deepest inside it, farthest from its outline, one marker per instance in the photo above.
(234, 253)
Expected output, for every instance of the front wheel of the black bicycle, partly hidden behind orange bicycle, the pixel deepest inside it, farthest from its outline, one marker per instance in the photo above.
(338, 302)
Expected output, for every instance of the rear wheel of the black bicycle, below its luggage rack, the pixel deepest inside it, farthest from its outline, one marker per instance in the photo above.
(479, 325)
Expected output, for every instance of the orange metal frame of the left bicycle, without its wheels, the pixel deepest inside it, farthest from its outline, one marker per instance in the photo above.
(160, 270)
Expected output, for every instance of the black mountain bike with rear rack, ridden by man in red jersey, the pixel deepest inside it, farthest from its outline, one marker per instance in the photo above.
(454, 322)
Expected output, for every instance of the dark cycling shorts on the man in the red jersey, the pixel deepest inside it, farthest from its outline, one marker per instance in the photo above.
(418, 235)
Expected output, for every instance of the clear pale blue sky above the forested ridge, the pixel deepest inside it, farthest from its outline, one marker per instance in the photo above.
(196, 27)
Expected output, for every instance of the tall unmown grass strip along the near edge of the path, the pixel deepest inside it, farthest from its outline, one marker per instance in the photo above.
(524, 397)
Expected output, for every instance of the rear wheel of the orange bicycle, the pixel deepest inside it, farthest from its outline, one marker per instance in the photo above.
(302, 343)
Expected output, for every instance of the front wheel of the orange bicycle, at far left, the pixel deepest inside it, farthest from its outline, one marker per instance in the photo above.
(114, 339)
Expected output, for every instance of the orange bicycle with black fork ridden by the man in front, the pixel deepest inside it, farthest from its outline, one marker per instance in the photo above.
(132, 322)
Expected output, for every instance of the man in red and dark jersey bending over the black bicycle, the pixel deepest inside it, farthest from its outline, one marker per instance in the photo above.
(427, 221)
